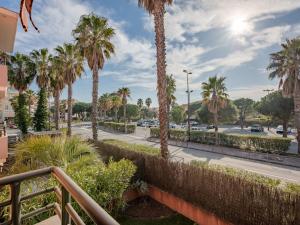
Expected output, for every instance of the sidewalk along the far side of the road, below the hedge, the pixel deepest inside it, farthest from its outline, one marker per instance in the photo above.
(293, 161)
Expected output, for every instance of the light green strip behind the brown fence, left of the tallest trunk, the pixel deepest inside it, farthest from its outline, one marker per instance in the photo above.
(133, 147)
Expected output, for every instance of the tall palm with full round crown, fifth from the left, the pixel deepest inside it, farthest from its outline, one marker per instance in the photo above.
(93, 36)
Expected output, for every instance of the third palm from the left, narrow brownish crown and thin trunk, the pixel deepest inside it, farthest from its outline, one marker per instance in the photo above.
(57, 83)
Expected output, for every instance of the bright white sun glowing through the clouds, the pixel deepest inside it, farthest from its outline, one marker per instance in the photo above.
(240, 25)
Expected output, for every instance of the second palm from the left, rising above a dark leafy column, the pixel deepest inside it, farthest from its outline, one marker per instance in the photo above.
(42, 60)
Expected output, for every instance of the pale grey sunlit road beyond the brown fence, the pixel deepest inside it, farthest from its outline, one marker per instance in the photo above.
(289, 174)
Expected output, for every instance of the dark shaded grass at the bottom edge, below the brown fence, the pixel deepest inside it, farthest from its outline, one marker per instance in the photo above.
(174, 220)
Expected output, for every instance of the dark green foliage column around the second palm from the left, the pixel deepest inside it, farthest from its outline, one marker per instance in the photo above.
(40, 120)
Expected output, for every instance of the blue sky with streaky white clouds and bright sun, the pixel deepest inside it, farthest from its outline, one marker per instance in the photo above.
(231, 38)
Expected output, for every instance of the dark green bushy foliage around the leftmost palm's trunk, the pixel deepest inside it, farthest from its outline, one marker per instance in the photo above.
(22, 117)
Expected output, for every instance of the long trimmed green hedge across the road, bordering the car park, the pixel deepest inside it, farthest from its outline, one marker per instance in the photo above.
(275, 145)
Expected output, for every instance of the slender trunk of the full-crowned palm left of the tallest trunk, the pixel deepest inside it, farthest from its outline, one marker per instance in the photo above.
(95, 98)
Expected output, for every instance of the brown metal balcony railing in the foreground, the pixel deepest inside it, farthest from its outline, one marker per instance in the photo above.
(69, 191)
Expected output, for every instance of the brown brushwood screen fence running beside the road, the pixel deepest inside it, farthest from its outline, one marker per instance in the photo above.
(234, 198)
